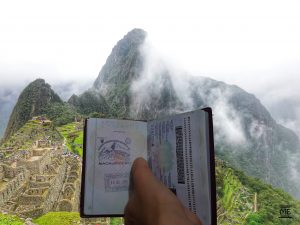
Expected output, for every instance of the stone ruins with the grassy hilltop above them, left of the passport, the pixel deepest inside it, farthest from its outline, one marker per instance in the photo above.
(37, 173)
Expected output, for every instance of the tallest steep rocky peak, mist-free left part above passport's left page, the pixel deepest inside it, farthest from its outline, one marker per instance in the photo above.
(122, 66)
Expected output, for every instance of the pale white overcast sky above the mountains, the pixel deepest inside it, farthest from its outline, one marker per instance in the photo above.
(254, 44)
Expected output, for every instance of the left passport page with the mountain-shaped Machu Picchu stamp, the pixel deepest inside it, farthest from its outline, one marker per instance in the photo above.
(112, 145)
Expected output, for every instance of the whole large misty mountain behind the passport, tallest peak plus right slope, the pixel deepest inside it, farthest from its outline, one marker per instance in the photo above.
(246, 134)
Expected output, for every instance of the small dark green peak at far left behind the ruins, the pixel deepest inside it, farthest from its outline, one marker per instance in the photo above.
(38, 99)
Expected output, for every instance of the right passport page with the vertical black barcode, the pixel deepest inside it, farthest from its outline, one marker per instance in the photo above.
(177, 155)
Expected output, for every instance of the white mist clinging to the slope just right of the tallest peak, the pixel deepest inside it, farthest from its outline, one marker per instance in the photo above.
(158, 67)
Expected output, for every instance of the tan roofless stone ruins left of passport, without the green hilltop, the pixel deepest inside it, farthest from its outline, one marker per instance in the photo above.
(41, 179)
